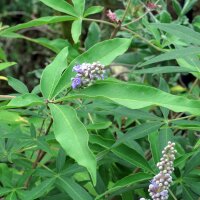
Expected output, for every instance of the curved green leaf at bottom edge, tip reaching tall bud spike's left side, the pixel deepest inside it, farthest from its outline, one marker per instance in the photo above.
(126, 182)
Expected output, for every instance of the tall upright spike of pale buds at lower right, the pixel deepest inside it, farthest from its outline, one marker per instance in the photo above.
(159, 185)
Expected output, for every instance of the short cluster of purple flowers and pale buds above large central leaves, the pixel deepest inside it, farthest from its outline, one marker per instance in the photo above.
(87, 74)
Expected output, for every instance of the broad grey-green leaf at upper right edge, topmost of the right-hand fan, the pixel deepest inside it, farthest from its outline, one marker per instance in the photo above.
(186, 34)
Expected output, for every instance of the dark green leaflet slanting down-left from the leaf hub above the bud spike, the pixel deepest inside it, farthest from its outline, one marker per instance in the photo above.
(139, 132)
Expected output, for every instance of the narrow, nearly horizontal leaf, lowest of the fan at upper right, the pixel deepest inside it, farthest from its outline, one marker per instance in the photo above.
(162, 70)
